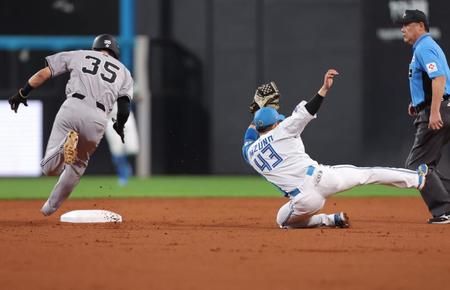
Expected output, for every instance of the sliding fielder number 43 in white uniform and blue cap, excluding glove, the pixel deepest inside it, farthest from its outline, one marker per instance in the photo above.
(274, 148)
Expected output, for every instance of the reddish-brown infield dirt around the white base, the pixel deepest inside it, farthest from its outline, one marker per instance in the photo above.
(223, 243)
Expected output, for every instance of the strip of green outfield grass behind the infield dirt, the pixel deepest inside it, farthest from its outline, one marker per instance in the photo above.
(169, 186)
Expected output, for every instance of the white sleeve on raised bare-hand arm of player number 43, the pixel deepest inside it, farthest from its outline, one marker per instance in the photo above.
(296, 123)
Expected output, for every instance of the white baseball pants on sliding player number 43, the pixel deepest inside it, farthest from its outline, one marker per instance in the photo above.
(325, 181)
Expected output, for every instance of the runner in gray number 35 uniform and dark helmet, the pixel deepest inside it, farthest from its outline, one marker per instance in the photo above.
(97, 81)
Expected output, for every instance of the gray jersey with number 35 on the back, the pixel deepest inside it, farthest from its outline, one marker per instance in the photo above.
(99, 77)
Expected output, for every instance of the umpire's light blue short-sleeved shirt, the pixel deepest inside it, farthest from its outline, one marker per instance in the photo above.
(428, 62)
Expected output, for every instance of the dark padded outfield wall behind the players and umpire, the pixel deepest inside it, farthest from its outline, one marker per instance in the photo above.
(208, 56)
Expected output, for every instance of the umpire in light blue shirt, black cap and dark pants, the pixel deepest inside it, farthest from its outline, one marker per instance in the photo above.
(429, 82)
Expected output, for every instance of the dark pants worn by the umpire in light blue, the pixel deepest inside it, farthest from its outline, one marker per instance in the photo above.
(427, 149)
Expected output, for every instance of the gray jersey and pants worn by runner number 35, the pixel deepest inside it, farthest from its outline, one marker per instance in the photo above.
(96, 81)
